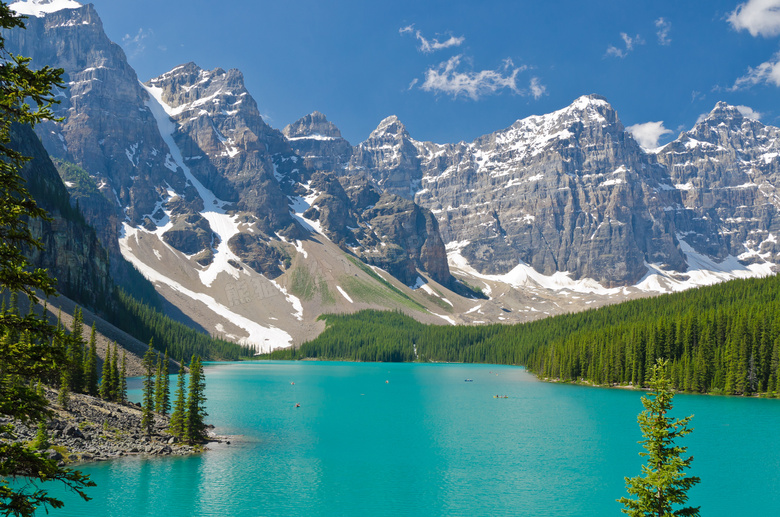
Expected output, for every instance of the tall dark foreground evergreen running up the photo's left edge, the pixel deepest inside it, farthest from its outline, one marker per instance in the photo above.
(27, 356)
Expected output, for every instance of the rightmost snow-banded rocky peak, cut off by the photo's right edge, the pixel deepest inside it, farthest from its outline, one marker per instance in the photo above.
(726, 170)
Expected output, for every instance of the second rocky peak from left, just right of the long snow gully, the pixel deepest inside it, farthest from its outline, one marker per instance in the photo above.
(225, 142)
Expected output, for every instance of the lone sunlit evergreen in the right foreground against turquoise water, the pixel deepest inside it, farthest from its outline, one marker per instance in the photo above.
(663, 483)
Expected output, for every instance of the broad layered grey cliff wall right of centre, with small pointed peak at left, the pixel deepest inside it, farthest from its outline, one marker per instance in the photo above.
(569, 191)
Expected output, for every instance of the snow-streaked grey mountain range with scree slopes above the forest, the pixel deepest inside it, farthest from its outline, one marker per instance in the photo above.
(252, 232)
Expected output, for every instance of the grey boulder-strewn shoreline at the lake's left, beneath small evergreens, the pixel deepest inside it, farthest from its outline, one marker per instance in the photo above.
(91, 429)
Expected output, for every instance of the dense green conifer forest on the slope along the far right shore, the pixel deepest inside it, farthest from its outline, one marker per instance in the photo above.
(721, 339)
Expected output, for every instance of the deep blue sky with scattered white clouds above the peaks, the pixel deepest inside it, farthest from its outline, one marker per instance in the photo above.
(456, 70)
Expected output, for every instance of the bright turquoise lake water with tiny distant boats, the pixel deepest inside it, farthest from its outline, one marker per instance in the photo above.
(415, 439)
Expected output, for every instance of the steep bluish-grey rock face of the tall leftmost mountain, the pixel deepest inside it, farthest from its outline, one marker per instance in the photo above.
(107, 129)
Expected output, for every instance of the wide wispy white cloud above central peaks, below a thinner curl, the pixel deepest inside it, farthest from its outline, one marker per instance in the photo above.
(446, 78)
